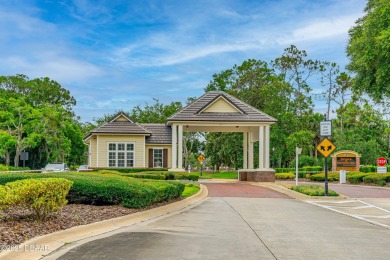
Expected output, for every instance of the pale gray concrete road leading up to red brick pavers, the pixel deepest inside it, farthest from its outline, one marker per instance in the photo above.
(243, 228)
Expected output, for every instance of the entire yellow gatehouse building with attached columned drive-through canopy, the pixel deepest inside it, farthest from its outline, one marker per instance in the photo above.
(123, 143)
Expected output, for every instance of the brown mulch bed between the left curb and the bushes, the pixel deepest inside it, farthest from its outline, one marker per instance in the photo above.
(18, 225)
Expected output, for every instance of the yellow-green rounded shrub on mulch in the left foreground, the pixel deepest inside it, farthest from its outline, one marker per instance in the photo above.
(43, 196)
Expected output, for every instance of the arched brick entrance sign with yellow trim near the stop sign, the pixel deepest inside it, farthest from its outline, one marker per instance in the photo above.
(346, 160)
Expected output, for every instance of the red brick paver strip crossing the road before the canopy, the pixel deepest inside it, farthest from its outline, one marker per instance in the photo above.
(241, 190)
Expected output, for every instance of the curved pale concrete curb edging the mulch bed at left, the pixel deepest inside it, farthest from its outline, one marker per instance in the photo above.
(39, 247)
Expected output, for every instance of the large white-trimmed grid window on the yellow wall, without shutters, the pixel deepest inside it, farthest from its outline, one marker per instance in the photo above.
(121, 155)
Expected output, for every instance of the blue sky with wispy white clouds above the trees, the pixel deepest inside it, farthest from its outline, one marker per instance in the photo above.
(113, 55)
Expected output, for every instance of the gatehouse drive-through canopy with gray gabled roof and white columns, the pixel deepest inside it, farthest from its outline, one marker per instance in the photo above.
(217, 111)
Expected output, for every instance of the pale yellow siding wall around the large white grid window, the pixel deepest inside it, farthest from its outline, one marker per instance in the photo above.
(100, 159)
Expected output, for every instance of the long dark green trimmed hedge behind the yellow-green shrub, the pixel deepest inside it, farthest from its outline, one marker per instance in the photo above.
(100, 189)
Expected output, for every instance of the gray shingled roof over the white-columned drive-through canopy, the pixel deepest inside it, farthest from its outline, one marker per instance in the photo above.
(193, 112)
